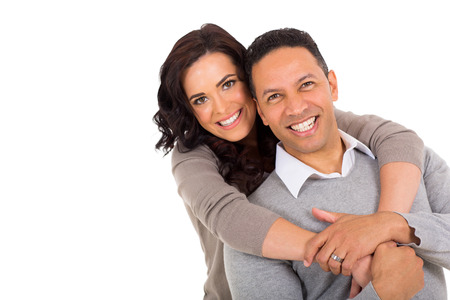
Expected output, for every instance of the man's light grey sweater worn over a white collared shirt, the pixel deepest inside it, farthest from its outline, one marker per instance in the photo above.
(253, 277)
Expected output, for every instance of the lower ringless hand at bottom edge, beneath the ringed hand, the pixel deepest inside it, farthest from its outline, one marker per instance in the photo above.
(397, 272)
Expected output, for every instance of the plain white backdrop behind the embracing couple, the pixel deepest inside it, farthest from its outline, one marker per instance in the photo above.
(88, 208)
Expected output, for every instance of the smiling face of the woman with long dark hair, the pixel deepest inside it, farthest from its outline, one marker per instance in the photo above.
(221, 102)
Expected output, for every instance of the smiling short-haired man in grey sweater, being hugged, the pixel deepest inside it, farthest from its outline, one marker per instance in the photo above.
(295, 94)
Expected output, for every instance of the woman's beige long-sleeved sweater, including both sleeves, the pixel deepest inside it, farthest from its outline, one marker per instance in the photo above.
(221, 214)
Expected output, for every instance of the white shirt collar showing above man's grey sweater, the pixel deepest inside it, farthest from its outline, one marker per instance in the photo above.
(294, 173)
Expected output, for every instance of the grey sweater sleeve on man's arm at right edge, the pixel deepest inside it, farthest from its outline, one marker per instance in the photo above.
(433, 229)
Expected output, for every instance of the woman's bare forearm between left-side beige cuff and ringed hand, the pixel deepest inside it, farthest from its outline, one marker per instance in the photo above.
(285, 240)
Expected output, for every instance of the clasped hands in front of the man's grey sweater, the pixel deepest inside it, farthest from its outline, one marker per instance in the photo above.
(354, 238)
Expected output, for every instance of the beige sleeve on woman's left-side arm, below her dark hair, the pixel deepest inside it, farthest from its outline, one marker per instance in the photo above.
(220, 207)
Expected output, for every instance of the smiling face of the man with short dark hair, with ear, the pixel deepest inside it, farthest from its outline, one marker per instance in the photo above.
(295, 99)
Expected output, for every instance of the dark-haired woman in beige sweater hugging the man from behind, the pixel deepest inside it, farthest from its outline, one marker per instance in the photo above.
(222, 152)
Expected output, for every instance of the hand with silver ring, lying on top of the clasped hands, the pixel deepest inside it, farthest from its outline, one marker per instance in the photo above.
(351, 237)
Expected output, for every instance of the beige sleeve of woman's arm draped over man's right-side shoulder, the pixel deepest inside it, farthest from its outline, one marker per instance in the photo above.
(389, 141)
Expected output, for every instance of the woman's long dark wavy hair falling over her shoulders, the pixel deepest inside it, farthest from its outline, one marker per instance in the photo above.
(176, 120)
